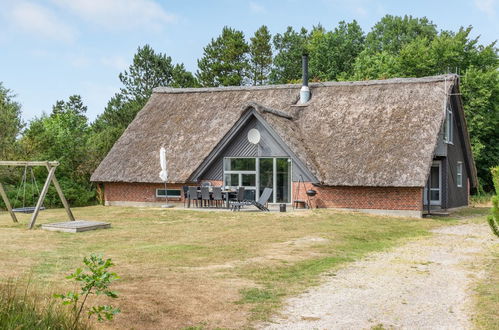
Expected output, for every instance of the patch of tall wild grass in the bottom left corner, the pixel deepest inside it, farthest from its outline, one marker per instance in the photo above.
(21, 307)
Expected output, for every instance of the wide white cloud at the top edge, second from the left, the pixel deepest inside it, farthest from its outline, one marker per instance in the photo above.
(120, 14)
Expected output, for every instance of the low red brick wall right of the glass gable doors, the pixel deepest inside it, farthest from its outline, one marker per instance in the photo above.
(381, 198)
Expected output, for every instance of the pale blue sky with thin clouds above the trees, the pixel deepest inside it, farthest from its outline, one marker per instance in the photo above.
(51, 49)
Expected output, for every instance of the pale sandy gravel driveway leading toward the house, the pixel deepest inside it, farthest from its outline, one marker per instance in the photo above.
(425, 284)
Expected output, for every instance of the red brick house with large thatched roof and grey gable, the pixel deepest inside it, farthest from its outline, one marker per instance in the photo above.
(391, 146)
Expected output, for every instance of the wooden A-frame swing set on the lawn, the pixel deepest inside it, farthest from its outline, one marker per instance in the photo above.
(51, 167)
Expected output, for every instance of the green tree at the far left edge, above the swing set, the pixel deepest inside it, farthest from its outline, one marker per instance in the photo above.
(11, 123)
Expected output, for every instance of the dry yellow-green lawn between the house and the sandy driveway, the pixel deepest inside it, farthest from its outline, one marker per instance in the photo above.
(210, 269)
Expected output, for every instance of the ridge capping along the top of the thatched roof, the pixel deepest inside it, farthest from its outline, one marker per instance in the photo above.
(171, 90)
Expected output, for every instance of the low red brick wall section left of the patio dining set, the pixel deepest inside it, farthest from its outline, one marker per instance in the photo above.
(136, 192)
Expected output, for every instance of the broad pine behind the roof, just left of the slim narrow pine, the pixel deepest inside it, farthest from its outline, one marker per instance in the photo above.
(225, 60)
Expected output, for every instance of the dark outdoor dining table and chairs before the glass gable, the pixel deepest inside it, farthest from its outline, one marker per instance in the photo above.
(224, 197)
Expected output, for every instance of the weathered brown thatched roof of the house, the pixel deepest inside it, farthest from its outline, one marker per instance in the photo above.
(370, 133)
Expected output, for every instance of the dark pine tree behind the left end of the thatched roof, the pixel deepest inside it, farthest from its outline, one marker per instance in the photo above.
(149, 70)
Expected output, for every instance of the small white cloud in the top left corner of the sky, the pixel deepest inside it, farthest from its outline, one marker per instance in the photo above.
(39, 22)
